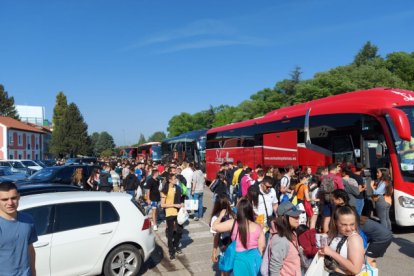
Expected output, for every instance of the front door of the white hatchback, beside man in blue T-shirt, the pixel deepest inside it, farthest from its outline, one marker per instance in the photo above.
(42, 216)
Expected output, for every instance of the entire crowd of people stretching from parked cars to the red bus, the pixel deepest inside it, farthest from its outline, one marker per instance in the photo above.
(279, 221)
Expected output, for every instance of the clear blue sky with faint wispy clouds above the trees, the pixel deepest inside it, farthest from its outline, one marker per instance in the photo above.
(131, 65)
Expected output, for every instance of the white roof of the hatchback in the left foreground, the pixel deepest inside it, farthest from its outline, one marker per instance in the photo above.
(66, 197)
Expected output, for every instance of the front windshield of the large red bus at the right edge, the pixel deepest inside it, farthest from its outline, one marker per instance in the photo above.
(405, 149)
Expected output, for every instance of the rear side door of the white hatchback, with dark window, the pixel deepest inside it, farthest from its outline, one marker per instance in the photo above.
(80, 237)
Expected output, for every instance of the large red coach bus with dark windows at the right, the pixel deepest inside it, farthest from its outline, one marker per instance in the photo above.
(370, 126)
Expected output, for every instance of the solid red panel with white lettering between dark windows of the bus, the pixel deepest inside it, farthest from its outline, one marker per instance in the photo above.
(280, 149)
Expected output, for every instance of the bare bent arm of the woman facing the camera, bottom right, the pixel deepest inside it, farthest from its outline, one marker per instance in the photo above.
(353, 263)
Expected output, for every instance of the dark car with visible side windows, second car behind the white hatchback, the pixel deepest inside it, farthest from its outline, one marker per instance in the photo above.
(57, 174)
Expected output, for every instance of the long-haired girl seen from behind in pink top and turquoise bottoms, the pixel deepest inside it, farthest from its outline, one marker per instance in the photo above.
(249, 237)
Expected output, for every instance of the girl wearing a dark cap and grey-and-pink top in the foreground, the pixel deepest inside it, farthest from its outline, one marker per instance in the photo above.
(284, 256)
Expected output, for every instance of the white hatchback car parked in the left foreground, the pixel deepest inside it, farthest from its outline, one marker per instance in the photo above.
(89, 233)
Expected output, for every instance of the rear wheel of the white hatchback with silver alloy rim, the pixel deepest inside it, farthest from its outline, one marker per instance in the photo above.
(124, 260)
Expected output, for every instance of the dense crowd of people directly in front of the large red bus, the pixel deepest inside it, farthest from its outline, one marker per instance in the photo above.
(281, 221)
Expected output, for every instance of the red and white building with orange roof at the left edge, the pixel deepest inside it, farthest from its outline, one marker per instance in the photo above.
(19, 140)
